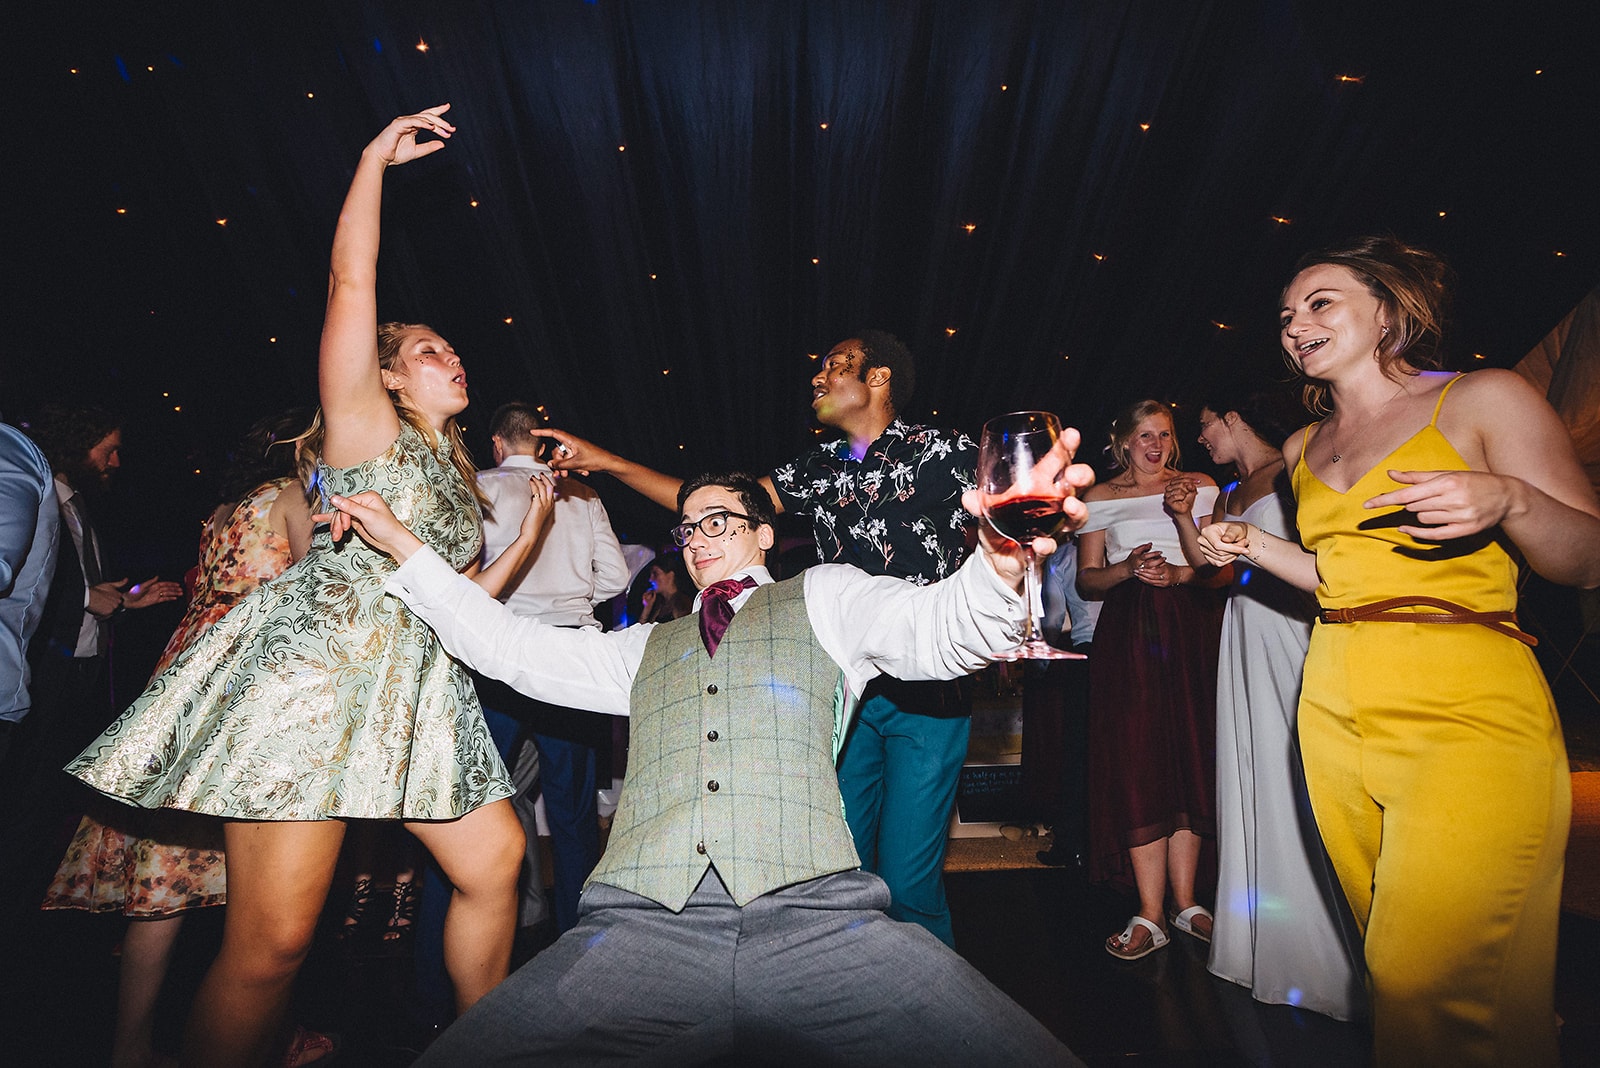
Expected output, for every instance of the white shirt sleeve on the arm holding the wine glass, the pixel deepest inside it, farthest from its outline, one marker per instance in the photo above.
(879, 626)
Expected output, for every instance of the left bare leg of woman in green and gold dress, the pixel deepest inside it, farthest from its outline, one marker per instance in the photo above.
(278, 880)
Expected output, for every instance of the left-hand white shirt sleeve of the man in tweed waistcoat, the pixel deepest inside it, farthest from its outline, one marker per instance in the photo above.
(580, 669)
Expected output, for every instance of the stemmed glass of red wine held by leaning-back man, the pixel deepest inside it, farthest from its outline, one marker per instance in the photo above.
(1023, 506)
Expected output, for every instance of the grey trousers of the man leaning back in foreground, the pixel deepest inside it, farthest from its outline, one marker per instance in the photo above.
(814, 974)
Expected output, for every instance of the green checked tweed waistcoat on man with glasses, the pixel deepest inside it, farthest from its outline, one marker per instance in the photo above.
(732, 760)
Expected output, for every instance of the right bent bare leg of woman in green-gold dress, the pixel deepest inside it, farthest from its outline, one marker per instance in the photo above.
(482, 858)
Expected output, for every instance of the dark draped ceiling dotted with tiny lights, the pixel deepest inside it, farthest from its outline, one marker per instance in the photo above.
(655, 212)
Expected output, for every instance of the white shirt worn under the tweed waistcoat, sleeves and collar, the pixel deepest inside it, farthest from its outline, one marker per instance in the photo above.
(868, 624)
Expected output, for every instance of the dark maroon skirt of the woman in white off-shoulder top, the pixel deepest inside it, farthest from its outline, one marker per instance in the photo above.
(1153, 720)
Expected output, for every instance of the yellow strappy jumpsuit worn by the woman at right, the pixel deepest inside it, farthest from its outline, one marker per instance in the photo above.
(1439, 779)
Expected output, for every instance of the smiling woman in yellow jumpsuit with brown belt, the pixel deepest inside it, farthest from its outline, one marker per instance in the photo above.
(1433, 749)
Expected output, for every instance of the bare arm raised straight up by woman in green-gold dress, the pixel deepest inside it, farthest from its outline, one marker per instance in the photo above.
(359, 418)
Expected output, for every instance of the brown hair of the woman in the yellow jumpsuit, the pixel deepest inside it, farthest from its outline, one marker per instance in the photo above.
(1412, 285)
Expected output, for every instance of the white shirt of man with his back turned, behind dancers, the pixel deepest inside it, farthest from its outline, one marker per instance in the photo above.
(577, 565)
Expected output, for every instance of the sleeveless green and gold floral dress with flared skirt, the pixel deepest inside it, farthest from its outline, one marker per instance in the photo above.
(319, 696)
